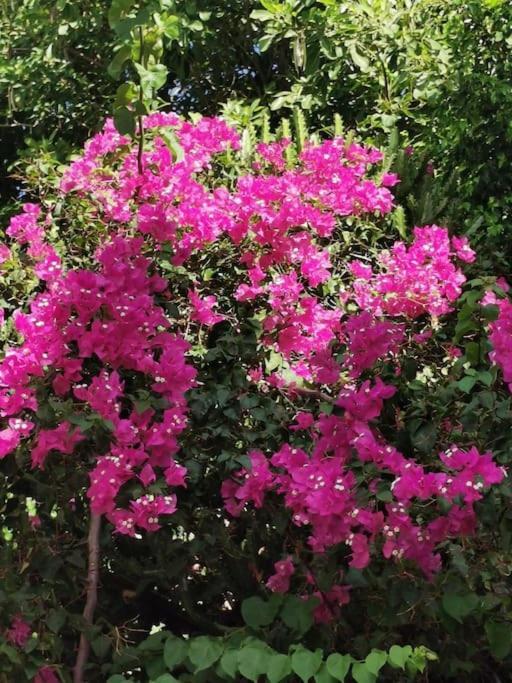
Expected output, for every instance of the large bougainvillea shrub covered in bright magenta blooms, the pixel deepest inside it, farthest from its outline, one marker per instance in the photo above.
(236, 381)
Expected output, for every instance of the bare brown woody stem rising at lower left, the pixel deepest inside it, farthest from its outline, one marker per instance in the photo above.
(93, 572)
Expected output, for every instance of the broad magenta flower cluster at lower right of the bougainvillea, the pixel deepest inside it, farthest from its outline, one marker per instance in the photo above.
(322, 494)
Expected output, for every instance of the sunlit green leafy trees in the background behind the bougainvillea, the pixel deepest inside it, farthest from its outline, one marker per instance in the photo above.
(439, 72)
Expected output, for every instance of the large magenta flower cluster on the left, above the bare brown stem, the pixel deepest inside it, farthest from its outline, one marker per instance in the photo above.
(108, 316)
